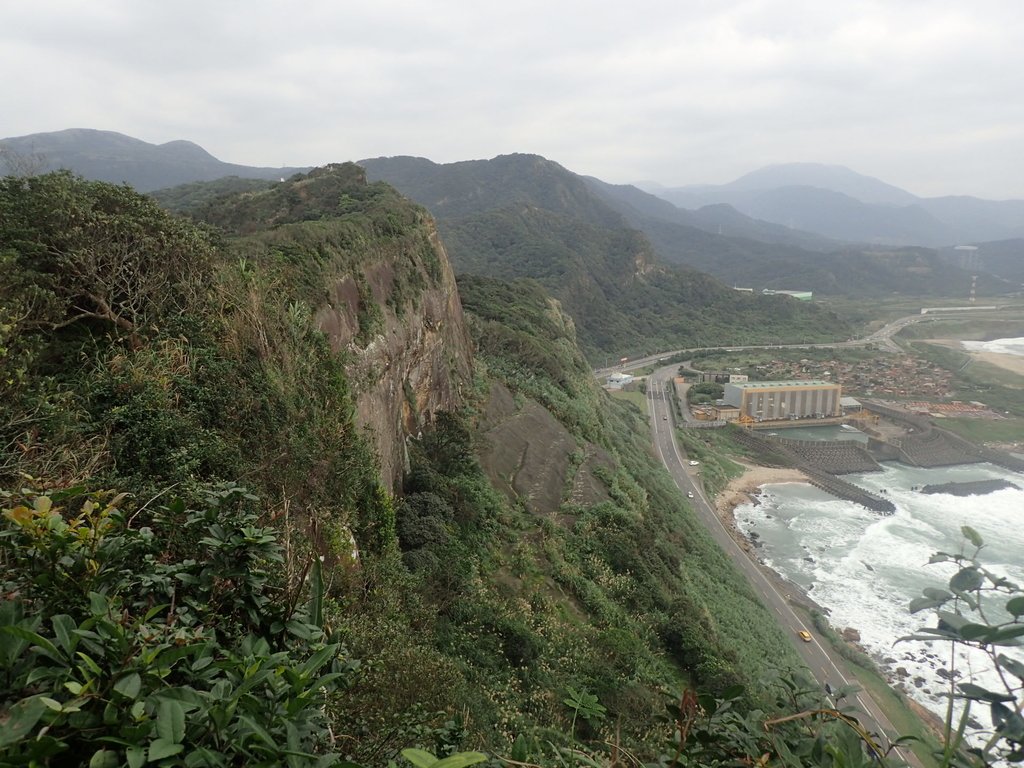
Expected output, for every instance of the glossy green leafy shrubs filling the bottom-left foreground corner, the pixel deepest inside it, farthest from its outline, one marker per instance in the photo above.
(123, 646)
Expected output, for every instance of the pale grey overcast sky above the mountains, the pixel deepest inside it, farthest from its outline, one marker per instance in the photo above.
(925, 95)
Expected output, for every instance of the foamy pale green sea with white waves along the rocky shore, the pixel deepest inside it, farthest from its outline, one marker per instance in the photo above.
(865, 569)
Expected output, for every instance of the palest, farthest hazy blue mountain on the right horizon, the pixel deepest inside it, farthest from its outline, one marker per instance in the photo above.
(840, 204)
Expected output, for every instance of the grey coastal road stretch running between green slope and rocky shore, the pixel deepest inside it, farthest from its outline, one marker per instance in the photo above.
(824, 663)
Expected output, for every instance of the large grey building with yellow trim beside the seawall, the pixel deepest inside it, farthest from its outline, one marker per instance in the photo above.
(780, 401)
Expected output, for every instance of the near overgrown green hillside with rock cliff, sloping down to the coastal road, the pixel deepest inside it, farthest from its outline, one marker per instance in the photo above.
(268, 588)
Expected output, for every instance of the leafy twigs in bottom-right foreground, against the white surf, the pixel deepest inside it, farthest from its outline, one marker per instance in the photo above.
(986, 612)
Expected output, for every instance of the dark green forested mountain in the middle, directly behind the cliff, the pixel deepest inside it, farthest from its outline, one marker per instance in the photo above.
(524, 217)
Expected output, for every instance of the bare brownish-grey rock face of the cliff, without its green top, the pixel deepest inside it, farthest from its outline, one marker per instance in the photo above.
(415, 359)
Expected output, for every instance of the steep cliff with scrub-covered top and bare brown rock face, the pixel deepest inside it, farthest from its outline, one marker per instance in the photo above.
(380, 286)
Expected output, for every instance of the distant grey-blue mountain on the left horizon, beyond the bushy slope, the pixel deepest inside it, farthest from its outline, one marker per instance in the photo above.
(107, 156)
